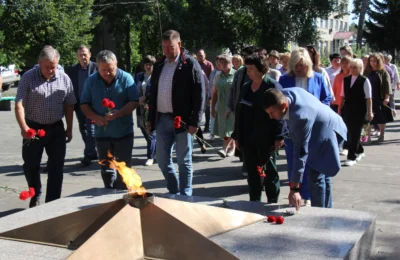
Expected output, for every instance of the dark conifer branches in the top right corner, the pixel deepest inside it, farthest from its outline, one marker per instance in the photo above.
(382, 30)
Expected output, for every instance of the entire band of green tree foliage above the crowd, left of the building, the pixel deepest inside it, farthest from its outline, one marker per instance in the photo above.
(136, 26)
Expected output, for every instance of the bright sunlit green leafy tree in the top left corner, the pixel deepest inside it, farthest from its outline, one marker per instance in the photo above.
(29, 25)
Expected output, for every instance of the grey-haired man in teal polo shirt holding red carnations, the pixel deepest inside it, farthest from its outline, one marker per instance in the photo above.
(114, 129)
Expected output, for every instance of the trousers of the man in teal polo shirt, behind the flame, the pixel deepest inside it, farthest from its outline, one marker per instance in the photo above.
(121, 149)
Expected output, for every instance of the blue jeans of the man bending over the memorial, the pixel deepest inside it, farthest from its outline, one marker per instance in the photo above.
(320, 189)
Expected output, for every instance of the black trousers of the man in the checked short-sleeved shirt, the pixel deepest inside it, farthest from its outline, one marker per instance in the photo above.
(32, 151)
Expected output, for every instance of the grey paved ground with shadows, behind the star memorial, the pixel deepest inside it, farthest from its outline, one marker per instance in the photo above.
(372, 185)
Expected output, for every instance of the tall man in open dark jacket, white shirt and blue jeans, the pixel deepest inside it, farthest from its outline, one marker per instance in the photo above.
(177, 89)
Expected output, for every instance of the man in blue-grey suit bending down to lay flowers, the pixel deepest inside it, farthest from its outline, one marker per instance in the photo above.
(316, 132)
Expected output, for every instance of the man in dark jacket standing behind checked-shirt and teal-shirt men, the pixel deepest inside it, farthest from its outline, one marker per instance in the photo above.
(78, 74)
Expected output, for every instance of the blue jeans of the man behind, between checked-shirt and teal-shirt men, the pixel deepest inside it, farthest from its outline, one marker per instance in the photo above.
(87, 132)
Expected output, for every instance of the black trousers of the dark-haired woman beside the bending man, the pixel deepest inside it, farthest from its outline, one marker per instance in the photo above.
(271, 182)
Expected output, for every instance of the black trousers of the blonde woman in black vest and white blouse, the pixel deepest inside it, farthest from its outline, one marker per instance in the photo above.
(354, 119)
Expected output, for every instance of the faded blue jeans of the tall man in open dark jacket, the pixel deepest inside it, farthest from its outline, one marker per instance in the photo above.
(166, 138)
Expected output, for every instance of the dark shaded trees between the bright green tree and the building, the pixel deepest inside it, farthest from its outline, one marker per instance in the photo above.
(214, 24)
